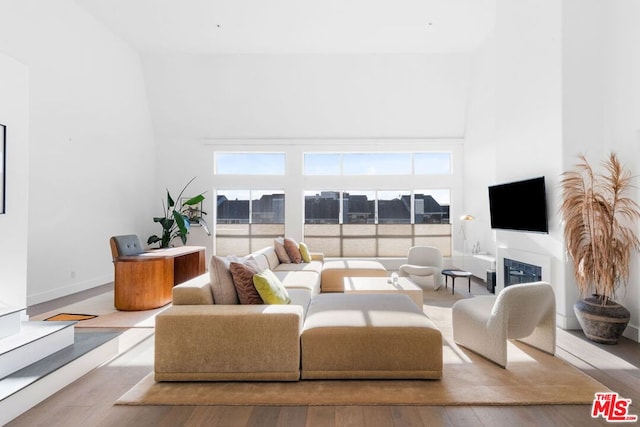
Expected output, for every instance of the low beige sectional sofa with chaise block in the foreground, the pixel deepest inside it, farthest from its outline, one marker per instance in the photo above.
(206, 336)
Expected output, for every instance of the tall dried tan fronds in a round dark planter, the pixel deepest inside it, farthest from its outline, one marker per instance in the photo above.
(600, 238)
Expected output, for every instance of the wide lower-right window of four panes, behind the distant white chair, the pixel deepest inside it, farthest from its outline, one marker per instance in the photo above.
(376, 223)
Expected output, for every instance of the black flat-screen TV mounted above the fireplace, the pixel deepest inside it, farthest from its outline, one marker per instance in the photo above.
(519, 205)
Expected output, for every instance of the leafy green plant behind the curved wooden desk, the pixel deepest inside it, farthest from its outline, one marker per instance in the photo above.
(178, 218)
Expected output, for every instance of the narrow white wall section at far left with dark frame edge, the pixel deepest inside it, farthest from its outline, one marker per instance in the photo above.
(14, 114)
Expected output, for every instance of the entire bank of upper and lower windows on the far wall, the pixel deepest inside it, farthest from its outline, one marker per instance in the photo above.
(355, 203)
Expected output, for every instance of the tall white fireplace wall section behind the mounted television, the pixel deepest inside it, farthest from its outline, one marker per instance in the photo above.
(529, 122)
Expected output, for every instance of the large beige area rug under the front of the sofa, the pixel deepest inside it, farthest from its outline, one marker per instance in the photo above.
(531, 378)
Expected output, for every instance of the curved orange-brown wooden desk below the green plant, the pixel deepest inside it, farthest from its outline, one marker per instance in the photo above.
(146, 281)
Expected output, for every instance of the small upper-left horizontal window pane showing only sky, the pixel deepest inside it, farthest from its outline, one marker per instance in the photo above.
(249, 163)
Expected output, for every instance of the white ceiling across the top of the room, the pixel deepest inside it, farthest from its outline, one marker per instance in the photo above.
(297, 26)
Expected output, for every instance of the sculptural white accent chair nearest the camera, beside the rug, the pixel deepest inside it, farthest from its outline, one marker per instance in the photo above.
(526, 312)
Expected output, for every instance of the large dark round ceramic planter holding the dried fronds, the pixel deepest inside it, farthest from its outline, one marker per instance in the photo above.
(601, 323)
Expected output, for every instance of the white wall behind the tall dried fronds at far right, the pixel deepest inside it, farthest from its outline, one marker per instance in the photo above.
(601, 102)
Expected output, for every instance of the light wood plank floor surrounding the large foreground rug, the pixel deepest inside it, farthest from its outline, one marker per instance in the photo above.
(89, 401)
